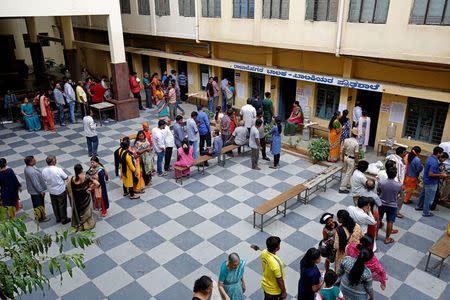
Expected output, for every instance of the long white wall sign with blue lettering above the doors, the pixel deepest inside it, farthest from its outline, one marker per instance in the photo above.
(319, 78)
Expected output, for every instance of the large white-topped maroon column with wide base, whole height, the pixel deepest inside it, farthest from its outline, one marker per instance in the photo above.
(126, 106)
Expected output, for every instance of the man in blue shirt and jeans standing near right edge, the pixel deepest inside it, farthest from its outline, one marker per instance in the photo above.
(430, 182)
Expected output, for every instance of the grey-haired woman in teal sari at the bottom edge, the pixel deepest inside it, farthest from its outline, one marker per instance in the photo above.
(231, 278)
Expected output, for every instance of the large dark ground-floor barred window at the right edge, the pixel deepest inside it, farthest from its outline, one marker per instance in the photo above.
(425, 120)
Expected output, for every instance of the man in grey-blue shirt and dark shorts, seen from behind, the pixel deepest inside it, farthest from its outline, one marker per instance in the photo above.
(389, 190)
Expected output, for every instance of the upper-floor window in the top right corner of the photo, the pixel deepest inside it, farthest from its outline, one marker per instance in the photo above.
(430, 12)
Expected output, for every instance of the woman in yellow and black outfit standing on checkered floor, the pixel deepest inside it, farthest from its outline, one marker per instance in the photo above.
(124, 159)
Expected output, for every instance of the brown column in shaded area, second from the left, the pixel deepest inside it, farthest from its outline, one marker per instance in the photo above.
(70, 51)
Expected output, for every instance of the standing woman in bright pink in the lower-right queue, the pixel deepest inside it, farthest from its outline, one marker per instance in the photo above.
(378, 272)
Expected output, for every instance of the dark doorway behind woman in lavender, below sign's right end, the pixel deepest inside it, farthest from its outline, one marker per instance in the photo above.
(371, 101)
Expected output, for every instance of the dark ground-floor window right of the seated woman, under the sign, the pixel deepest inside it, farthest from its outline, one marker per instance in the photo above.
(327, 101)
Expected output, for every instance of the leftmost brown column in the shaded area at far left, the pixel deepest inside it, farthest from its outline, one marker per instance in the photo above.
(37, 55)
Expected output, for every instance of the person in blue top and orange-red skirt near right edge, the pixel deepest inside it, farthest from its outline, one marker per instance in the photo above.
(413, 166)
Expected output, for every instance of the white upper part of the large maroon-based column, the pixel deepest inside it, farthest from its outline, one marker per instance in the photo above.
(115, 34)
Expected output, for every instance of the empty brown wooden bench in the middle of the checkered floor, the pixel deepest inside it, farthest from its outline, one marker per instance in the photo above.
(276, 202)
